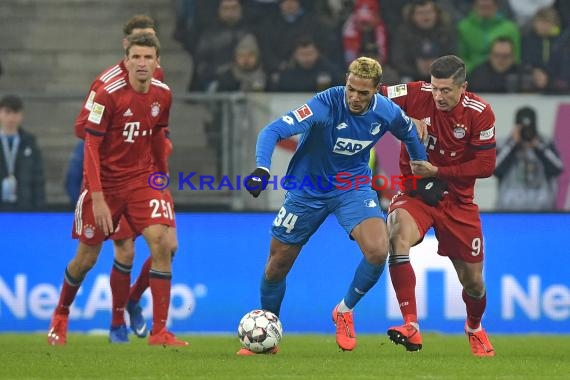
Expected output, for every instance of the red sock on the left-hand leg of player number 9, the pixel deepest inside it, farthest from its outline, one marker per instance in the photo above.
(404, 283)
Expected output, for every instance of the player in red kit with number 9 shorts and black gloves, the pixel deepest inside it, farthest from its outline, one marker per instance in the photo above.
(461, 148)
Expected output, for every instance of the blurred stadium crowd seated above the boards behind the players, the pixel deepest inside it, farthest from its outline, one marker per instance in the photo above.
(300, 45)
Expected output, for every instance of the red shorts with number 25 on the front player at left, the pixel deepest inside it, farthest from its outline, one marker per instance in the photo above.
(139, 208)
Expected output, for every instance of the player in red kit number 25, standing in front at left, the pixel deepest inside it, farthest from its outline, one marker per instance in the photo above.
(124, 143)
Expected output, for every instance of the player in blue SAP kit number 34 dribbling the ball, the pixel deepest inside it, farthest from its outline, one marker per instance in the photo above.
(339, 126)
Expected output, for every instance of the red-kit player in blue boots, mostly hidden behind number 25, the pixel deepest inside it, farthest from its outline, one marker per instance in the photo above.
(123, 295)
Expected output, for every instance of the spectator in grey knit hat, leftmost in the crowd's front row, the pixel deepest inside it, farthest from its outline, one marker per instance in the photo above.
(246, 72)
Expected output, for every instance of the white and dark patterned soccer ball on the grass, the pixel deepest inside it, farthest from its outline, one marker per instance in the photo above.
(259, 331)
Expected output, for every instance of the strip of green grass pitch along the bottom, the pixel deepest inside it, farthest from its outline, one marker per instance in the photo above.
(27, 356)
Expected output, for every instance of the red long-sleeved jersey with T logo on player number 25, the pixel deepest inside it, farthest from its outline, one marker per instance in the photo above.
(124, 133)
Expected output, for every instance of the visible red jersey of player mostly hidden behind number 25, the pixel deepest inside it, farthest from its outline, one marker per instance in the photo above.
(109, 75)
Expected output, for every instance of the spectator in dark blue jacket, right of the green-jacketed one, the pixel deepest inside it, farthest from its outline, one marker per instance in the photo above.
(540, 40)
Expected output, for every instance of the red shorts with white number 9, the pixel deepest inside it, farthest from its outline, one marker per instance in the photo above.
(457, 225)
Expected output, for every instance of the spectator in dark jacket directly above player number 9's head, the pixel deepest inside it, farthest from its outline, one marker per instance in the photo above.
(426, 34)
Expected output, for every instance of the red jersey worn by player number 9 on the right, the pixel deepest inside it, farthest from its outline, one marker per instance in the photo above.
(455, 137)
